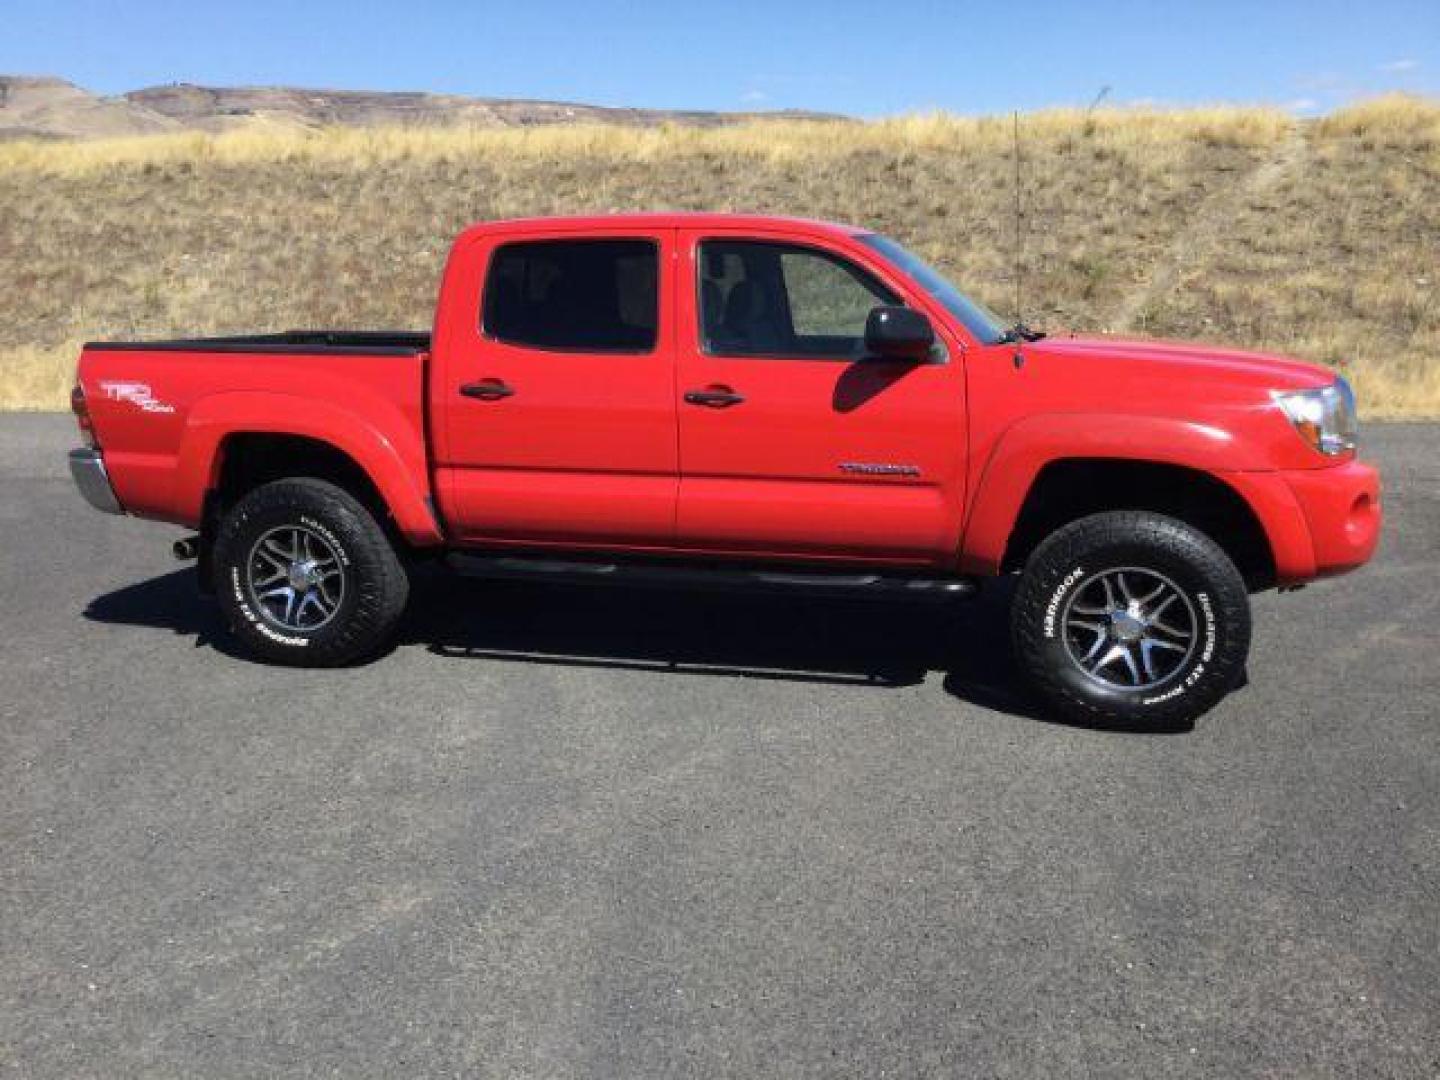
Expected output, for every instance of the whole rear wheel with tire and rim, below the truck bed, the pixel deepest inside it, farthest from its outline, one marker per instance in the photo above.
(306, 575)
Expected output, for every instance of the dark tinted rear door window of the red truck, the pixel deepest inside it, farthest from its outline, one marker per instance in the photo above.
(575, 296)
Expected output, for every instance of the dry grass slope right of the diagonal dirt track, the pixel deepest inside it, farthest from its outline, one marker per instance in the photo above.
(1338, 260)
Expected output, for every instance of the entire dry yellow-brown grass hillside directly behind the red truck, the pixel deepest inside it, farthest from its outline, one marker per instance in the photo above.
(1320, 238)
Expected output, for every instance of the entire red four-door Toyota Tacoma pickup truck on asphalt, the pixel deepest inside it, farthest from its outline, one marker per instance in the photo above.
(742, 401)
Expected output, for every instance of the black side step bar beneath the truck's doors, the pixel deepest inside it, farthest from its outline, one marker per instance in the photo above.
(678, 575)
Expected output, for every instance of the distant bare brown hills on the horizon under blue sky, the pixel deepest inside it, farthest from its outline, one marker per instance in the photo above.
(54, 109)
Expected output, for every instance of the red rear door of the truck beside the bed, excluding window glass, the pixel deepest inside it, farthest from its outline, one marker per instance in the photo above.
(577, 447)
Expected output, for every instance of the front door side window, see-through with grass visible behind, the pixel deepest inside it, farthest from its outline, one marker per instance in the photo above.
(781, 300)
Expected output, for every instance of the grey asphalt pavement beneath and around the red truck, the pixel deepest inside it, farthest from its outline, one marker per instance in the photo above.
(571, 833)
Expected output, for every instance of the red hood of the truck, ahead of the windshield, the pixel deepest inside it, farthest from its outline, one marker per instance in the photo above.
(1187, 361)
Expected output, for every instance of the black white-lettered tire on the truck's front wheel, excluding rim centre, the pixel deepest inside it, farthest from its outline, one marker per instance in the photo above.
(1075, 559)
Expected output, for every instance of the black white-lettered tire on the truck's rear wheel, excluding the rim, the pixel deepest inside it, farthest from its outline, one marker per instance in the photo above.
(375, 587)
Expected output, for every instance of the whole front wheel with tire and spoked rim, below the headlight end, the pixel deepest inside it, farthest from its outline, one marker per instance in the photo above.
(1131, 620)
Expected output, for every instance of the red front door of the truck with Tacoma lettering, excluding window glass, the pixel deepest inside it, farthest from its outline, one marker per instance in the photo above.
(817, 457)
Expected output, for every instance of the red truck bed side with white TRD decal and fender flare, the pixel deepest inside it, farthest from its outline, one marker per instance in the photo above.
(165, 411)
